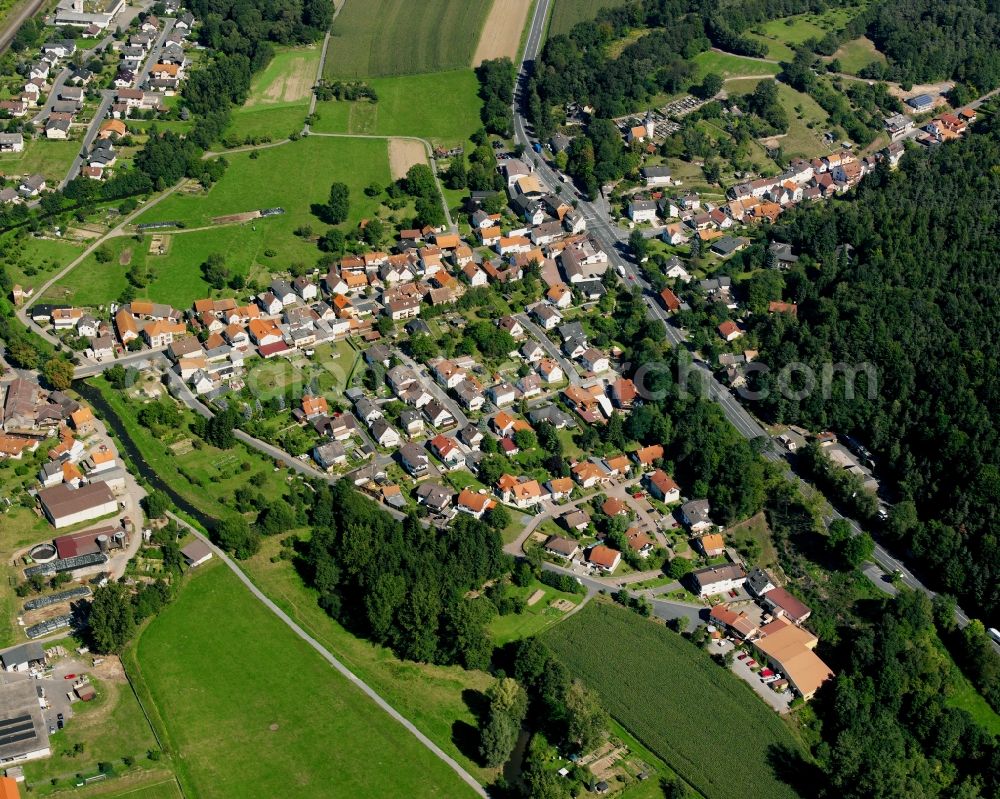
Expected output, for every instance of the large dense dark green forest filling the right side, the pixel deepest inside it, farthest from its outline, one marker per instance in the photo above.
(917, 298)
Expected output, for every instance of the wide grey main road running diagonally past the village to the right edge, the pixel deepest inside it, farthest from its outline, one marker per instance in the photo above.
(614, 240)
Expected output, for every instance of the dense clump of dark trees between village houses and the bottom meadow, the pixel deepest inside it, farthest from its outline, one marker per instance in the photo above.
(403, 584)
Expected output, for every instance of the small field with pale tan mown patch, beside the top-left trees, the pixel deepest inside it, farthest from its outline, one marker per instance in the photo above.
(279, 96)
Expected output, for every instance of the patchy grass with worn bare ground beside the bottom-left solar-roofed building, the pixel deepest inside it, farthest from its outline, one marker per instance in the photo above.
(110, 727)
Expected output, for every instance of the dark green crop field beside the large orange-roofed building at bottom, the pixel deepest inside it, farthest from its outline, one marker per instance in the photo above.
(676, 700)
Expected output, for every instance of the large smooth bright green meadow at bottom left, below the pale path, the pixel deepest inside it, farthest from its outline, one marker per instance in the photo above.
(238, 693)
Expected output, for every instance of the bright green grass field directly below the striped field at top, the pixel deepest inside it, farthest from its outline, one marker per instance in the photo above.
(410, 105)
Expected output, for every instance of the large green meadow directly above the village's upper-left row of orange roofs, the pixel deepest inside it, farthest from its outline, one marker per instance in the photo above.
(292, 176)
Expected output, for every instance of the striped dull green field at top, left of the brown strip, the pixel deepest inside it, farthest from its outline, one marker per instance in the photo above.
(397, 37)
